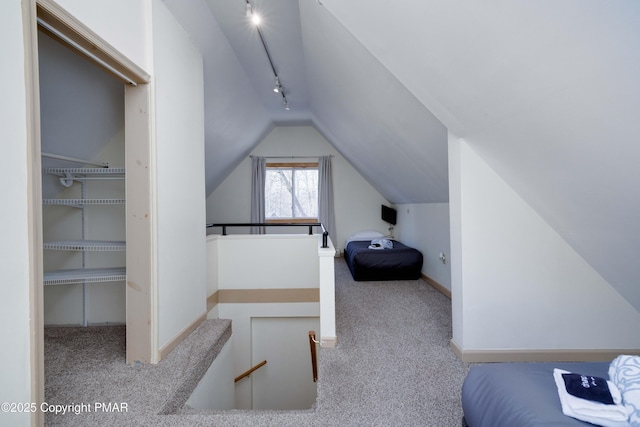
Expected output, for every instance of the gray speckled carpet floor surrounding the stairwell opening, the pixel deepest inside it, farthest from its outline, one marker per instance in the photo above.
(393, 367)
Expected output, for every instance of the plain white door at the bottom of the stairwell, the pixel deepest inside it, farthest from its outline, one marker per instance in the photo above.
(286, 381)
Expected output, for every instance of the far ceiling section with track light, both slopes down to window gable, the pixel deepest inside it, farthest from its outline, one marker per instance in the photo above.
(331, 82)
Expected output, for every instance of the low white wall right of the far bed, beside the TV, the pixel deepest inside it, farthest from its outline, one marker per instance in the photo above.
(425, 226)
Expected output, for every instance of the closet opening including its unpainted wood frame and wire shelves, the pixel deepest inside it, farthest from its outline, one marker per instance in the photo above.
(84, 202)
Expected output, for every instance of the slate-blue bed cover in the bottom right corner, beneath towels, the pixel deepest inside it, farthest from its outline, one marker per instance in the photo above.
(520, 394)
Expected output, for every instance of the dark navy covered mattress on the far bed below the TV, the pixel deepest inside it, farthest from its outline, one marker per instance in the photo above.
(399, 263)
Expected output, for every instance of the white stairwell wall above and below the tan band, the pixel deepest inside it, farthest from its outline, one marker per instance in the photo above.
(253, 262)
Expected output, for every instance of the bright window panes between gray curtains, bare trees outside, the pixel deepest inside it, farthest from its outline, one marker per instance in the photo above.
(291, 192)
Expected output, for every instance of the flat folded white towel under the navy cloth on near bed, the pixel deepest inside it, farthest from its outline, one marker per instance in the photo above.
(601, 414)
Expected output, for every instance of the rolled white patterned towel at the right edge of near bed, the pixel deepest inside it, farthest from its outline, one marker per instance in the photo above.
(624, 372)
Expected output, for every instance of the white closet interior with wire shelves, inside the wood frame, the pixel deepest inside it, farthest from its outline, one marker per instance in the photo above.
(84, 225)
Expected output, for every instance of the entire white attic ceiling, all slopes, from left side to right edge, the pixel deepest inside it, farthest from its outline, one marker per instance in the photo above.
(546, 91)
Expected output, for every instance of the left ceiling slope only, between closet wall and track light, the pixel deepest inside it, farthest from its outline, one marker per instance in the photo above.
(236, 119)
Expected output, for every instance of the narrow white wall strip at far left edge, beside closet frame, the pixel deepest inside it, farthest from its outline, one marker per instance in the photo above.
(15, 375)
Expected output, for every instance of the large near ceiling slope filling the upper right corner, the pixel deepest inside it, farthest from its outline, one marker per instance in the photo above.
(547, 92)
